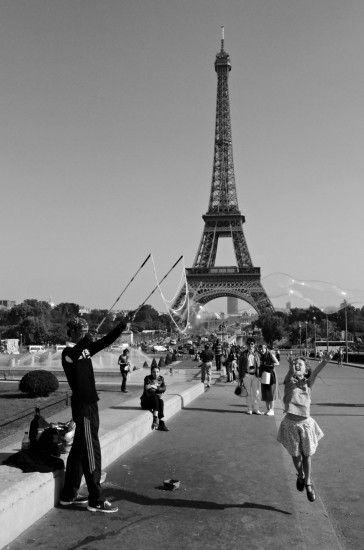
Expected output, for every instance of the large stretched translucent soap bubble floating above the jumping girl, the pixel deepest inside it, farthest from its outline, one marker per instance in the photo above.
(329, 298)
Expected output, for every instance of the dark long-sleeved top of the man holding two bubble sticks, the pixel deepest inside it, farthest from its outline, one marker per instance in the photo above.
(77, 365)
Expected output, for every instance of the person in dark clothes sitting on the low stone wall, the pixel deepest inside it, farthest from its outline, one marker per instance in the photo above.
(151, 400)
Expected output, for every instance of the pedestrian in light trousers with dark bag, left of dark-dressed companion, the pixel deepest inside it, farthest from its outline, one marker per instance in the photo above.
(249, 363)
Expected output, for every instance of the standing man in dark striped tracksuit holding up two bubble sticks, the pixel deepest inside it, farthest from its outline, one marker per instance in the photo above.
(85, 455)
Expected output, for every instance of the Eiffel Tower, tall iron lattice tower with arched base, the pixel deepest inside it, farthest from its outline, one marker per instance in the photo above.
(224, 220)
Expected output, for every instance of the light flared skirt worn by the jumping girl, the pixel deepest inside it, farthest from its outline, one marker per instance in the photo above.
(300, 436)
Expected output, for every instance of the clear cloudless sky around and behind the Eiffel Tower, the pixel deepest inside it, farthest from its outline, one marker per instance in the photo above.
(107, 133)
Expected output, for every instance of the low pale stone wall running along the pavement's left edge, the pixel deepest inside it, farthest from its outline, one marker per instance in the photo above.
(26, 497)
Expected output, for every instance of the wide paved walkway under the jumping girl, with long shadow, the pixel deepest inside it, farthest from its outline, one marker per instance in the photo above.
(237, 483)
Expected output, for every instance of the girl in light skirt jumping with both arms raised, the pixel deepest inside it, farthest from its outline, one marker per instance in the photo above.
(299, 433)
